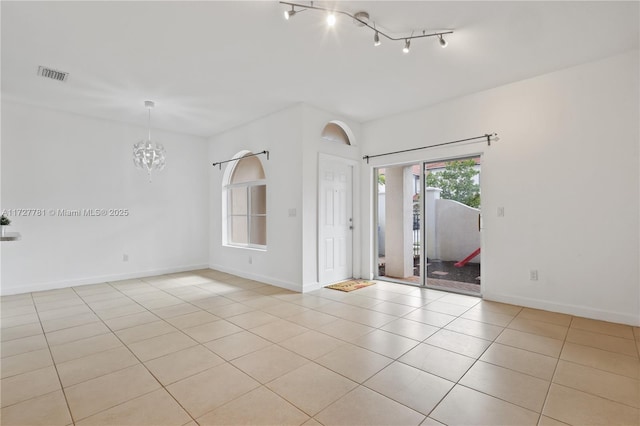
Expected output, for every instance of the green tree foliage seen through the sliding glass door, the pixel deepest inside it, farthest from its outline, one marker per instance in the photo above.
(456, 182)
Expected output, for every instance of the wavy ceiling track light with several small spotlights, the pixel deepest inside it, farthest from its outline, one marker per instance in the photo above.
(361, 19)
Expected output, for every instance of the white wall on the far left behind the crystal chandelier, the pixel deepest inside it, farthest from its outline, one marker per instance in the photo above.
(56, 160)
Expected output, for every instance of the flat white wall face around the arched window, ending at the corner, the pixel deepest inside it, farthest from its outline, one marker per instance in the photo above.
(281, 134)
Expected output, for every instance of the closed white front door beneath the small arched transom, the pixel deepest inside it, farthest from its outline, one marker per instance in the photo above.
(335, 221)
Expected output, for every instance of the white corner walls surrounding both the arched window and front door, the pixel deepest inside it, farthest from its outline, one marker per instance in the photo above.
(293, 138)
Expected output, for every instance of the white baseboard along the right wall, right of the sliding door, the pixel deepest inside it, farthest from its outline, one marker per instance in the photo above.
(581, 311)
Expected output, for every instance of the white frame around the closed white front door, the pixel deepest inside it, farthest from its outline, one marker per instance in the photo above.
(355, 213)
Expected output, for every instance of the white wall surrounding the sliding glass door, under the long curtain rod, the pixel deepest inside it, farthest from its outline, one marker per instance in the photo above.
(566, 171)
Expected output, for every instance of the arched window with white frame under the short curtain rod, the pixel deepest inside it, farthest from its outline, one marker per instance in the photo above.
(246, 193)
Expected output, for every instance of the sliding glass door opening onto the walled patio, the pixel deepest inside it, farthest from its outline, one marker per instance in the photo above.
(428, 224)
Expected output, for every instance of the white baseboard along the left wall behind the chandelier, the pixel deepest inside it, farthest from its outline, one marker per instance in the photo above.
(28, 288)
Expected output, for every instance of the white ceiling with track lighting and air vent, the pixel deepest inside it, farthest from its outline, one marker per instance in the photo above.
(214, 65)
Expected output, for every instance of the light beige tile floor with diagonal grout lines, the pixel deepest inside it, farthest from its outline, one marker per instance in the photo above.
(205, 347)
